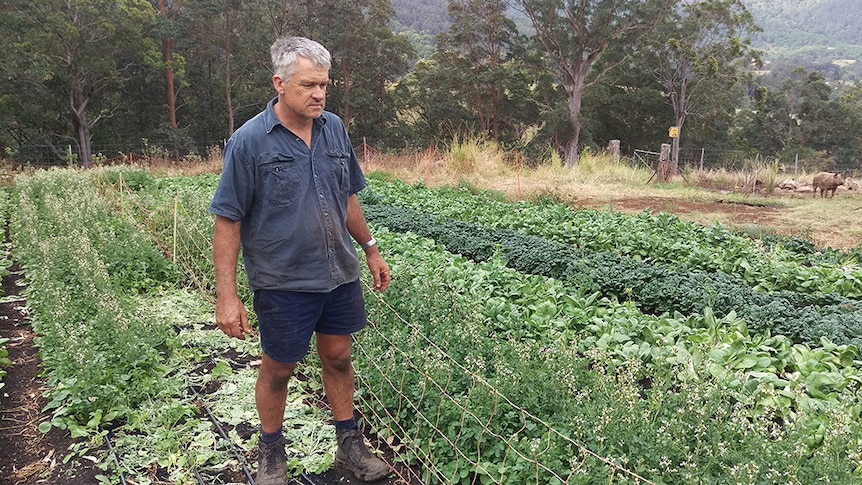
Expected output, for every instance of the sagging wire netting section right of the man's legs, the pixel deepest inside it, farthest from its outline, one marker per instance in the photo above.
(480, 405)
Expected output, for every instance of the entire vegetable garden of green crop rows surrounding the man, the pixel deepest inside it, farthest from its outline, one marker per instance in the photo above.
(517, 344)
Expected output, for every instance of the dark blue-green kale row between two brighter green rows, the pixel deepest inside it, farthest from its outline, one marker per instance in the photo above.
(654, 289)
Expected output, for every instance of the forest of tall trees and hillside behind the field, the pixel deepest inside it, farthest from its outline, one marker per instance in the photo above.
(89, 81)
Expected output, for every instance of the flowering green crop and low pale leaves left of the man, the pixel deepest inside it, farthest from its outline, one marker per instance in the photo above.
(122, 341)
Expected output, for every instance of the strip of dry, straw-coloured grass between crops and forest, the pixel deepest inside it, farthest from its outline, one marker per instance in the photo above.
(598, 182)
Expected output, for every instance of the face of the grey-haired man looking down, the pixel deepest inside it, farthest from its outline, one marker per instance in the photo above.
(304, 94)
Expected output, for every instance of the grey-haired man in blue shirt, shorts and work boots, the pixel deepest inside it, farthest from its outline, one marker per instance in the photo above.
(287, 196)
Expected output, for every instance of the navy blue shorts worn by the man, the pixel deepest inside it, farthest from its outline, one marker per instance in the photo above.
(287, 319)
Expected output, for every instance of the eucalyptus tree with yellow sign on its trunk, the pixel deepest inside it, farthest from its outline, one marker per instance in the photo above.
(699, 54)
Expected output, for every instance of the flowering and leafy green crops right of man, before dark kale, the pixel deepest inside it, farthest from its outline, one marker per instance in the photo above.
(485, 365)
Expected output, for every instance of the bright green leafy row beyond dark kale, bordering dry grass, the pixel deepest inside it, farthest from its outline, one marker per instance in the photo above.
(660, 238)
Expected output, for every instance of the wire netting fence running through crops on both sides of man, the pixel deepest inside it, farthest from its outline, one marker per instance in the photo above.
(412, 377)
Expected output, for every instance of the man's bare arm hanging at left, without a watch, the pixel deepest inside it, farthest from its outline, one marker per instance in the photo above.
(231, 316)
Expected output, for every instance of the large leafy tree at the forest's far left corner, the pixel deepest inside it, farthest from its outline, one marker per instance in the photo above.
(85, 52)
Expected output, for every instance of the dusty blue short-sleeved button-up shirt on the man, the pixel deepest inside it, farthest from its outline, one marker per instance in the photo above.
(291, 202)
